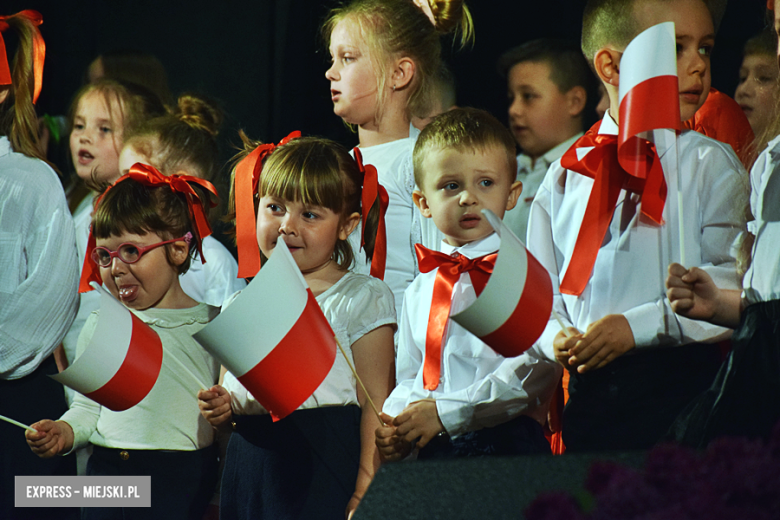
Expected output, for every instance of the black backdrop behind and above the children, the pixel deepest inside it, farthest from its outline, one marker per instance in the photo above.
(265, 60)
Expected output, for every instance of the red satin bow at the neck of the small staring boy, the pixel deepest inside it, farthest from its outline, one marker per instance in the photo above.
(450, 269)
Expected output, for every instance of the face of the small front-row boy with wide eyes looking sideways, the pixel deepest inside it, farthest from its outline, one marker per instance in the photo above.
(458, 185)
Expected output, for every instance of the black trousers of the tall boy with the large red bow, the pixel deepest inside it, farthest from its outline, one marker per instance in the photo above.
(630, 403)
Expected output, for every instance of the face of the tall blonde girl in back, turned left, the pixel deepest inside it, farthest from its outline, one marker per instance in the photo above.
(353, 81)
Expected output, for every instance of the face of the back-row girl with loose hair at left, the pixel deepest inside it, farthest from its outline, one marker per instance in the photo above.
(96, 138)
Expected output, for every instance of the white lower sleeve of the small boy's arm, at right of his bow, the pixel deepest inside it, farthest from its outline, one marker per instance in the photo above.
(523, 384)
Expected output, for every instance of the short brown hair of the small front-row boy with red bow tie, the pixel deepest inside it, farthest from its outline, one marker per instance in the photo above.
(464, 129)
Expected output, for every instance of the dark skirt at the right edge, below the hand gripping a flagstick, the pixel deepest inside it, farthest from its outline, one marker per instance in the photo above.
(744, 399)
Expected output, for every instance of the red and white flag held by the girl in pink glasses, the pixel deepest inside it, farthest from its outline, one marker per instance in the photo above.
(121, 364)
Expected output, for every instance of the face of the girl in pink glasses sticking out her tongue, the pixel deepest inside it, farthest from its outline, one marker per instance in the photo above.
(150, 282)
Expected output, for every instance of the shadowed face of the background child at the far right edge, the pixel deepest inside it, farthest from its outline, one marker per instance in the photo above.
(757, 90)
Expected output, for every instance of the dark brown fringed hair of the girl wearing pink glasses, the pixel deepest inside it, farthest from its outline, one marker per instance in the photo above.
(132, 207)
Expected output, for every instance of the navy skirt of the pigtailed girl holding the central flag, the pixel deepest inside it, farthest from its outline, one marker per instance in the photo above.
(302, 467)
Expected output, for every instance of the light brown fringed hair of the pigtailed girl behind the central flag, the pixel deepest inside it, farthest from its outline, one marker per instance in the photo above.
(316, 171)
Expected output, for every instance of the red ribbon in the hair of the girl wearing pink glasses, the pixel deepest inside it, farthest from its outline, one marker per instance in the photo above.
(151, 177)
